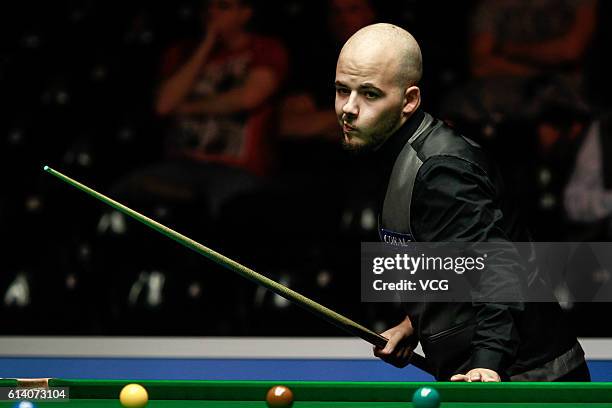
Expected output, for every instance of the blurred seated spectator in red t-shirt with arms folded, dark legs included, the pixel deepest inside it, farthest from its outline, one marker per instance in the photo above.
(218, 93)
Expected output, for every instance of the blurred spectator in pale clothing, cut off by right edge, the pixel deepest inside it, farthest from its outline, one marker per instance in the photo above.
(588, 195)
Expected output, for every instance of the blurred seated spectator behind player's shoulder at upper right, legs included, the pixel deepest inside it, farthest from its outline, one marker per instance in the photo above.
(526, 97)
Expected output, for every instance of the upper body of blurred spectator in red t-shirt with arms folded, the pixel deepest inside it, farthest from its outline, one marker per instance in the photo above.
(220, 92)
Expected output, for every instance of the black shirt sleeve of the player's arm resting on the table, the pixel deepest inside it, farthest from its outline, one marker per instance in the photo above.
(456, 202)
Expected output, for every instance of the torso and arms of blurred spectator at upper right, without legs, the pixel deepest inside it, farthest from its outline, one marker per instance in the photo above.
(521, 53)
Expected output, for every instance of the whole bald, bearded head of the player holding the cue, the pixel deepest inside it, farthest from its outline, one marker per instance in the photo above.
(377, 74)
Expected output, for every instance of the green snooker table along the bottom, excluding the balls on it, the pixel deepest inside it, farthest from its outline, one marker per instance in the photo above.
(202, 394)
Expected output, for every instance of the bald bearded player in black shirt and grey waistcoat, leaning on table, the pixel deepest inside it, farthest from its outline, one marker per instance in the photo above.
(448, 192)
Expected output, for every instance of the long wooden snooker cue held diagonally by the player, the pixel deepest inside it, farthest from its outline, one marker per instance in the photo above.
(296, 298)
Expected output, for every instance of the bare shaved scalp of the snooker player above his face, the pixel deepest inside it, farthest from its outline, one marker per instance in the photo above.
(390, 47)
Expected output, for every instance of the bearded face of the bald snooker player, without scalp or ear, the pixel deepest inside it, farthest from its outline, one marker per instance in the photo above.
(369, 100)
